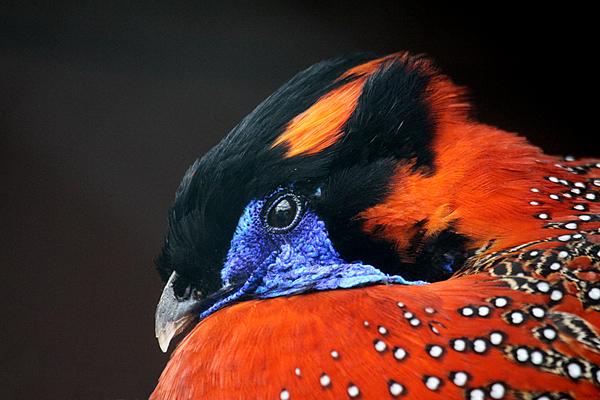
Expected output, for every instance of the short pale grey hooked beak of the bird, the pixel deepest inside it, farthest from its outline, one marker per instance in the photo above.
(172, 314)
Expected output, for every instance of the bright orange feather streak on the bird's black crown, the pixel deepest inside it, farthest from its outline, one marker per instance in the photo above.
(321, 125)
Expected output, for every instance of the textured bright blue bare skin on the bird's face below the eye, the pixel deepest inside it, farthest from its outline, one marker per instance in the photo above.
(266, 264)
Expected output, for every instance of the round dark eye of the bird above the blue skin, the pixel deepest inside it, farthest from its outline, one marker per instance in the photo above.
(283, 212)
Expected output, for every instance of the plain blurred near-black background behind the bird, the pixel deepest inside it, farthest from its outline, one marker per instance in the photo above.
(104, 105)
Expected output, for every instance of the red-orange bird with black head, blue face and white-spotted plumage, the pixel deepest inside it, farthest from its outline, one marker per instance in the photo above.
(360, 235)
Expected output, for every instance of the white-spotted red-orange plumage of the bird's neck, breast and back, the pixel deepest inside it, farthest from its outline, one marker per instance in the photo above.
(519, 320)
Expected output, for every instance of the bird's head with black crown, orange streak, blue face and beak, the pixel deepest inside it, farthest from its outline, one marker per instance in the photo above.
(297, 197)
